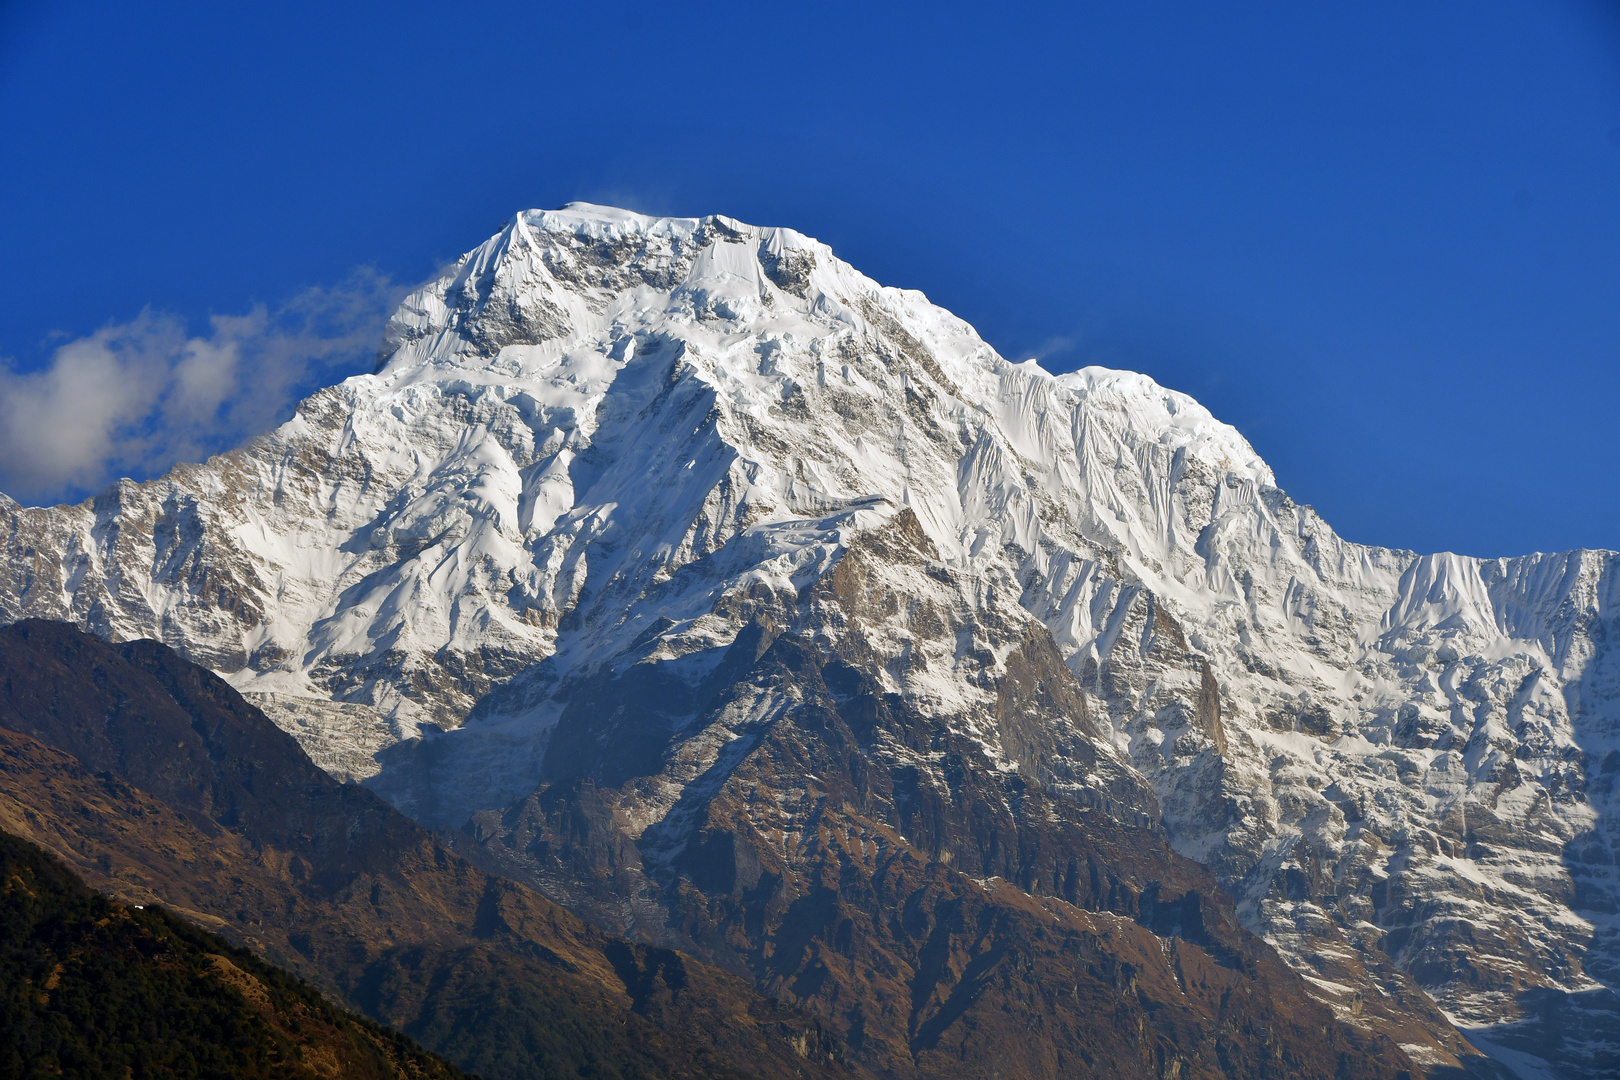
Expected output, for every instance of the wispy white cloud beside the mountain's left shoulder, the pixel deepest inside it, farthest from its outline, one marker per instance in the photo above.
(137, 398)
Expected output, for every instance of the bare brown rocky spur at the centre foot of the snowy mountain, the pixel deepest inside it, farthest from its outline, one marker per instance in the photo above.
(871, 865)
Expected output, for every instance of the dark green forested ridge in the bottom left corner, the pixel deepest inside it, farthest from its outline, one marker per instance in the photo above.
(96, 989)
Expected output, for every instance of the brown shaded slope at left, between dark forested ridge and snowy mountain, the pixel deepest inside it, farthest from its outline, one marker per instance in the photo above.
(156, 783)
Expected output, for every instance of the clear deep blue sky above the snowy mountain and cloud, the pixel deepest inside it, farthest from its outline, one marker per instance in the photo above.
(1381, 239)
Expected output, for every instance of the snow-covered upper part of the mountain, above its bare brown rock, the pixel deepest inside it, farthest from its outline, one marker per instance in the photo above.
(605, 456)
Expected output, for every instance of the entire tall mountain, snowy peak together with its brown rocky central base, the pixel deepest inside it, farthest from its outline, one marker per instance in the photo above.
(767, 618)
